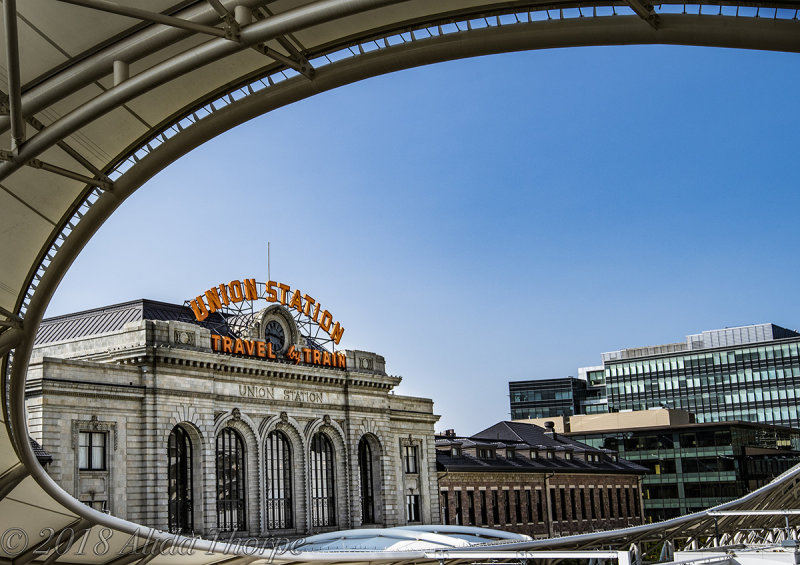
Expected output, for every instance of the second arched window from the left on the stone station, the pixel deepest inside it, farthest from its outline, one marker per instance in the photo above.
(230, 481)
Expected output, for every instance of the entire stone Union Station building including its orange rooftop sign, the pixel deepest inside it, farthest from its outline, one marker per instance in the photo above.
(206, 418)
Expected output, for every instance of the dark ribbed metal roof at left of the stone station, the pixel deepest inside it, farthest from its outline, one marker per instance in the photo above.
(113, 318)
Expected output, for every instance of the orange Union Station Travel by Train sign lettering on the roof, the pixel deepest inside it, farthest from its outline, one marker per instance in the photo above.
(234, 300)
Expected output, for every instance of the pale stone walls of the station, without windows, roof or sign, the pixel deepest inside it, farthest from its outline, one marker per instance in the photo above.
(133, 386)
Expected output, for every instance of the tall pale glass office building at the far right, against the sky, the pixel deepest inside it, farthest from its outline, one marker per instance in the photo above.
(749, 373)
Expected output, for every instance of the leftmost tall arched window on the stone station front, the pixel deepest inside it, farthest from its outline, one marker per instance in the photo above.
(180, 485)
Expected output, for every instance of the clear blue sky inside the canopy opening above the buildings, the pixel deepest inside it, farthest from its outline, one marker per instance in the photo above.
(494, 219)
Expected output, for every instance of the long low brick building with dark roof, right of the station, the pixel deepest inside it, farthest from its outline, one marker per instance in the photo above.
(528, 479)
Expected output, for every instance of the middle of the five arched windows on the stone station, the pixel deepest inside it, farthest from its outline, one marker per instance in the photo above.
(278, 465)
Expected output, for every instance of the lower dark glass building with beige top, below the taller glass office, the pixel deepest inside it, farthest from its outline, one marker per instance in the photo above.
(692, 466)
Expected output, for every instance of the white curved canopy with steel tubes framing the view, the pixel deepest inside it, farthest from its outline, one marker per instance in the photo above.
(97, 97)
